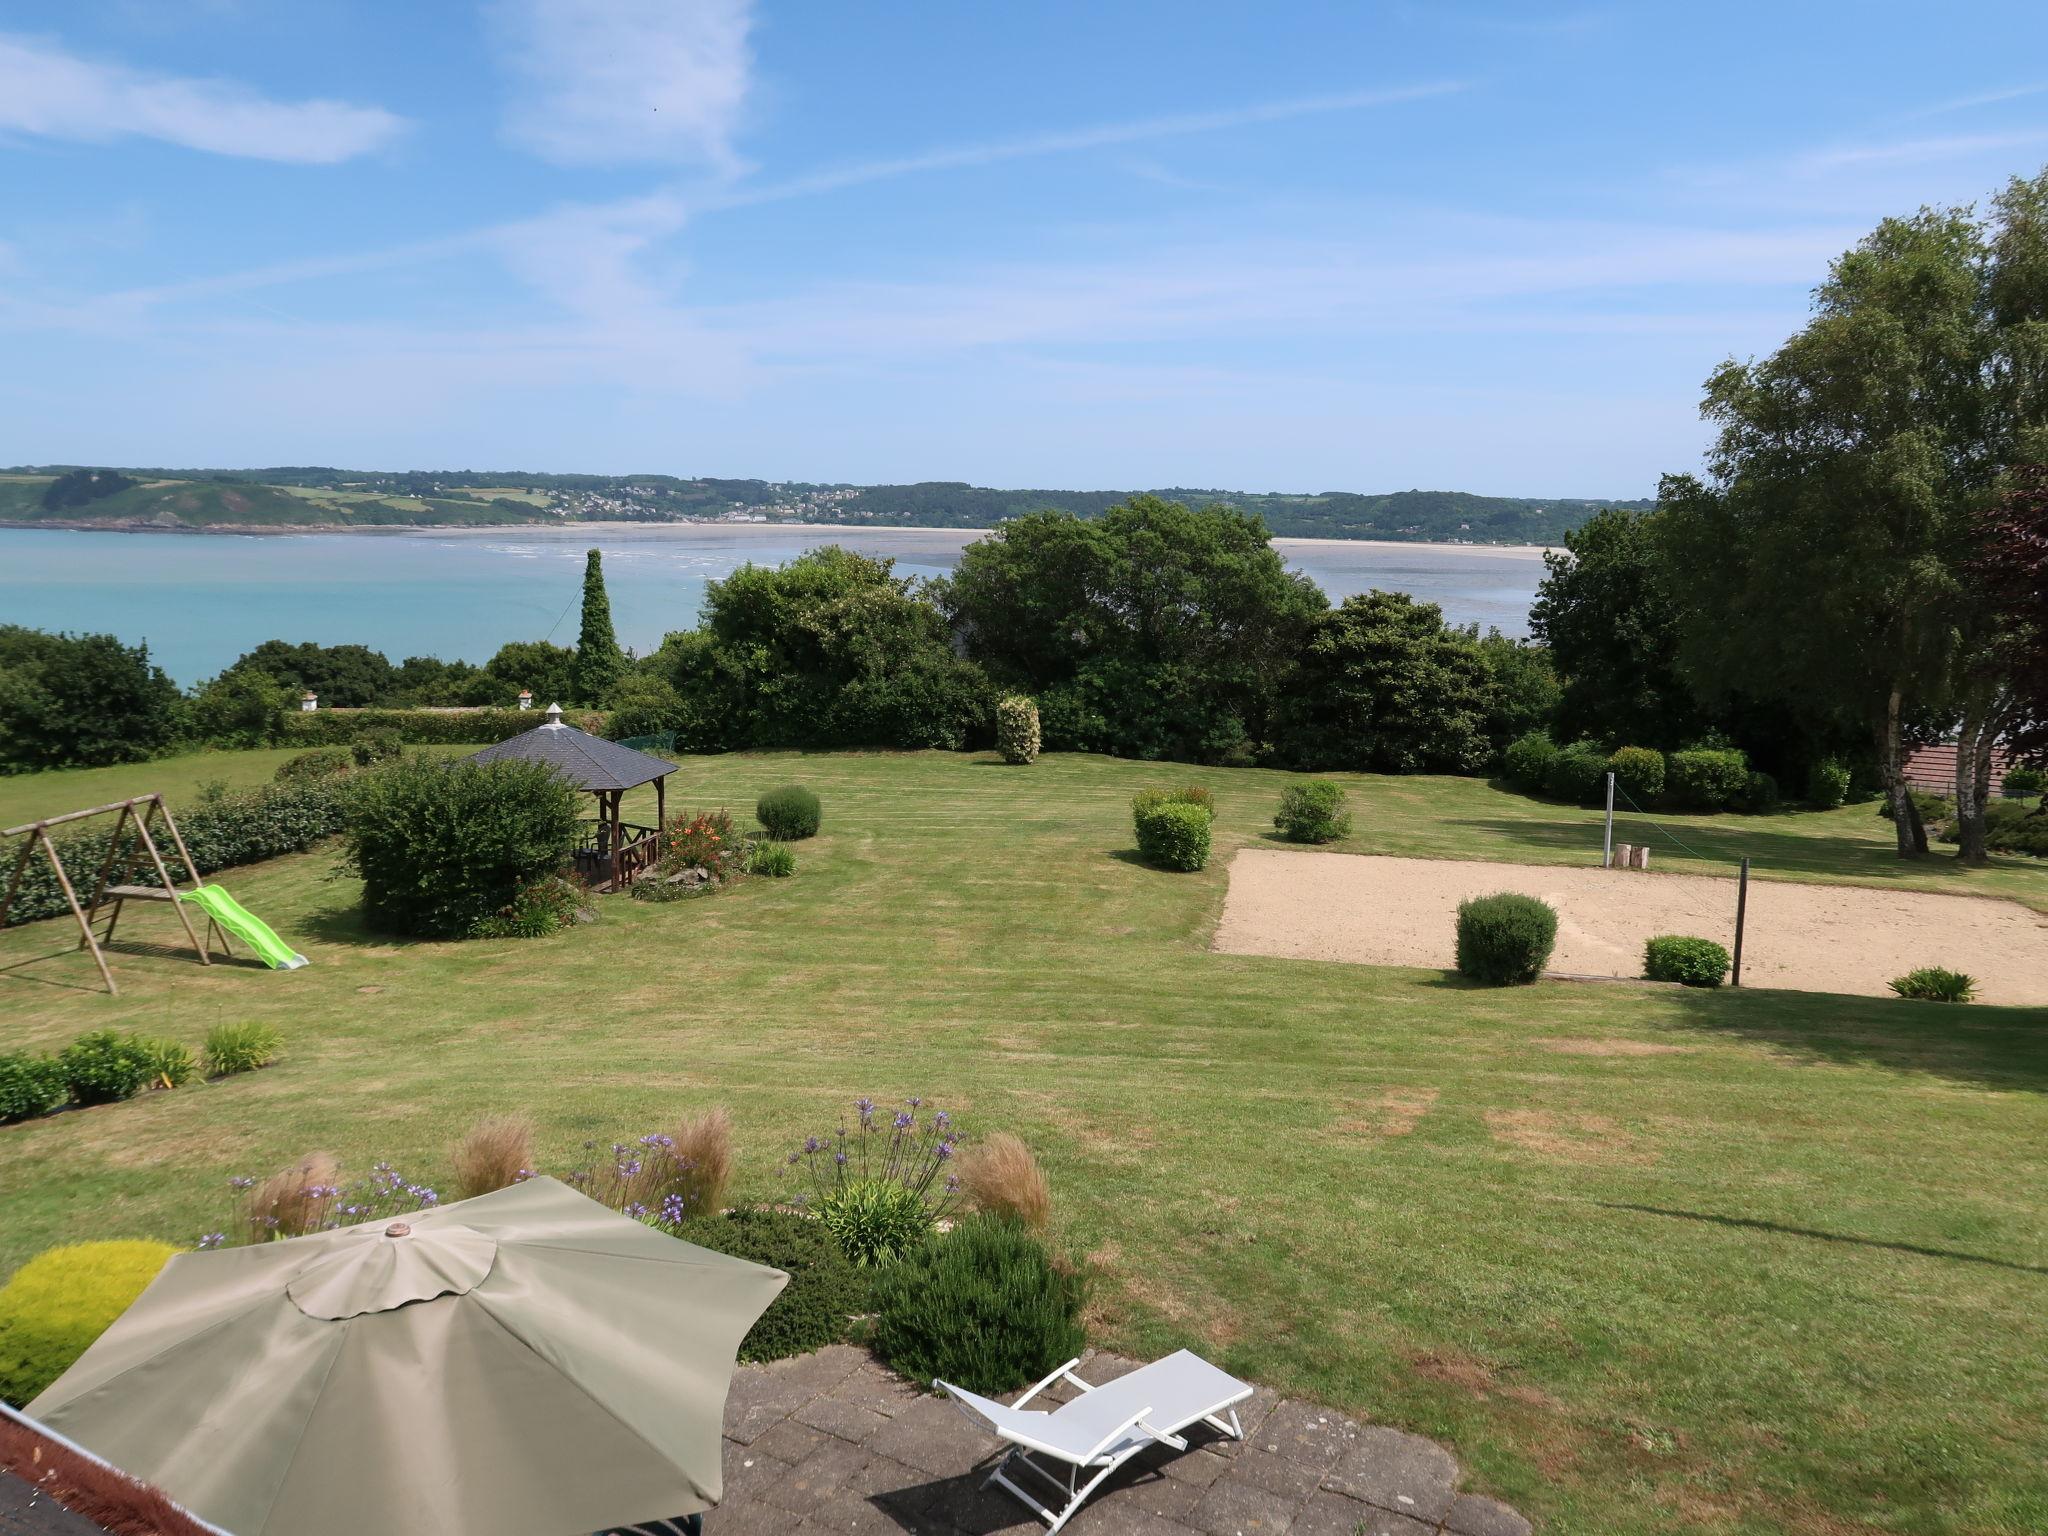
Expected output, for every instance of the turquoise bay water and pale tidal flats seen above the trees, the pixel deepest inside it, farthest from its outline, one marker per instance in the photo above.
(202, 601)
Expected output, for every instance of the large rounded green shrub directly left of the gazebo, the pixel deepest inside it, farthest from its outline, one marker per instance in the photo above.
(443, 847)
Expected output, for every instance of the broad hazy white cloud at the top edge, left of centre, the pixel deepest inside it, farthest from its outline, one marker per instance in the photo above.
(626, 81)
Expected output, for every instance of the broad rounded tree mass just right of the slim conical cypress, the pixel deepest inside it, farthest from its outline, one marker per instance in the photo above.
(826, 652)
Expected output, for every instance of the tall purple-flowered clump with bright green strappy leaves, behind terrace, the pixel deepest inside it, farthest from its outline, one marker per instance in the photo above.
(882, 1189)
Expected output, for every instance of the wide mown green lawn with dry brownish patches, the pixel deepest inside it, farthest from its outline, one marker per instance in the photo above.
(1652, 1261)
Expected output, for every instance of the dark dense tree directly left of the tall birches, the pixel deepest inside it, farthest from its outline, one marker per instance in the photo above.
(1613, 632)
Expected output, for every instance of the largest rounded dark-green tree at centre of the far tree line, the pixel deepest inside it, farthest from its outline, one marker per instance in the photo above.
(1152, 634)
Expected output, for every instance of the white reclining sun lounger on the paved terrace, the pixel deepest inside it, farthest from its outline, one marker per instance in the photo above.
(1105, 1426)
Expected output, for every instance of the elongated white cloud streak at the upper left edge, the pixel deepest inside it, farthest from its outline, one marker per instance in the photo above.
(58, 95)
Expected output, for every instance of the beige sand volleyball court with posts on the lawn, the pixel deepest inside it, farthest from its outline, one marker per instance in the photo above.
(1807, 937)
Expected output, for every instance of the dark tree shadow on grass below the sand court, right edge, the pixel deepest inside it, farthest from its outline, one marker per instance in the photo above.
(1996, 1048)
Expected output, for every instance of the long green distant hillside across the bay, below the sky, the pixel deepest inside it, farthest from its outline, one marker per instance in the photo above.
(359, 499)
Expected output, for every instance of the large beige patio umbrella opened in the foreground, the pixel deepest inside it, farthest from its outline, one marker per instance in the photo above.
(523, 1365)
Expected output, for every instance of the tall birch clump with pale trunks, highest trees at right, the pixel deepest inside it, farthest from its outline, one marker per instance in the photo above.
(1826, 560)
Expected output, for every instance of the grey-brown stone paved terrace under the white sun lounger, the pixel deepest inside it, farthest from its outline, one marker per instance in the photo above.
(837, 1445)
